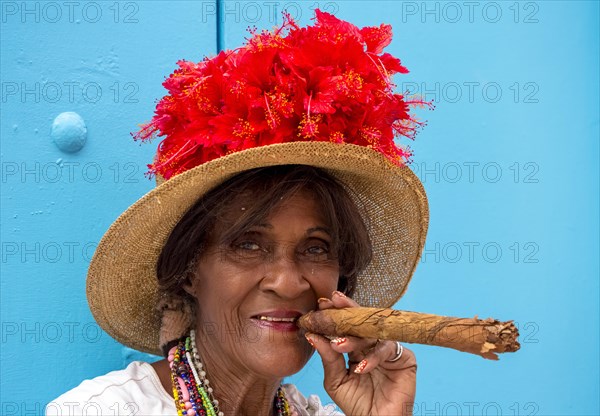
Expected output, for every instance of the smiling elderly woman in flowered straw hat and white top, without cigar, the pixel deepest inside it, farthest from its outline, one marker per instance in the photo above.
(281, 191)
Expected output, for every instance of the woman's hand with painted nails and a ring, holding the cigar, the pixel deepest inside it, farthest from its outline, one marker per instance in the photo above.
(370, 384)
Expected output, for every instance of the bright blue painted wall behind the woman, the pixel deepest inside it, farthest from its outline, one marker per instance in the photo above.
(509, 161)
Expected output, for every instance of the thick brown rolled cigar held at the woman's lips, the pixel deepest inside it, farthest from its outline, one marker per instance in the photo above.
(483, 337)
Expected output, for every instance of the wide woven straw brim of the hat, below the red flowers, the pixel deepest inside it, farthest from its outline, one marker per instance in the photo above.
(122, 286)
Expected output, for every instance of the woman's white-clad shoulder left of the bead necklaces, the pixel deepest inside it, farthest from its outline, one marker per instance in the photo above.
(116, 393)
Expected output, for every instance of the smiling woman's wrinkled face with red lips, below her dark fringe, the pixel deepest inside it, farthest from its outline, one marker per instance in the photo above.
(249, 292)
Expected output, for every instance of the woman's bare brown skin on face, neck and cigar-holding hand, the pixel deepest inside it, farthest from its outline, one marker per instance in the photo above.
(285, 265)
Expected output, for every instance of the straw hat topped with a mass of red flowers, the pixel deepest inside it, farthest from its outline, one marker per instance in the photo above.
(216, 126)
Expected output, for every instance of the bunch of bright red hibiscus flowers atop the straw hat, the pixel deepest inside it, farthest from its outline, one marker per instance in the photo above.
(327, 82)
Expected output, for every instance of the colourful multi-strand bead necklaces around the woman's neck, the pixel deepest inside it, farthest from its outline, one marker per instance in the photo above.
(191, 389)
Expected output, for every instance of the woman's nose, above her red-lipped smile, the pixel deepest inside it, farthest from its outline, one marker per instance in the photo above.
(284, 275)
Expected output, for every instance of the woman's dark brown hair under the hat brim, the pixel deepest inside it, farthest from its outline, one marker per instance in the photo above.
(265, 188)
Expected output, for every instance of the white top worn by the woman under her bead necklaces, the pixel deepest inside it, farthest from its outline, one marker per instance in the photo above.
(137, 391)
